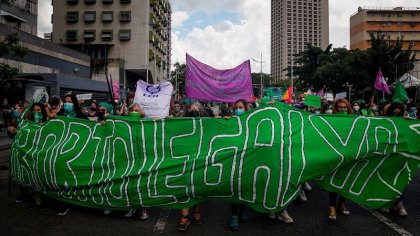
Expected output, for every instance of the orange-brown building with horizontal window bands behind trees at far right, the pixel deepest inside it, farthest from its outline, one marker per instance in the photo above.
(398, 22)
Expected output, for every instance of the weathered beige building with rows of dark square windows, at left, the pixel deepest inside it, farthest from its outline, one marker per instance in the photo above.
(129, 40)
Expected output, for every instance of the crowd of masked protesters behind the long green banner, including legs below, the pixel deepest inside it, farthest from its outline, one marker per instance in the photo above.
(98, 111)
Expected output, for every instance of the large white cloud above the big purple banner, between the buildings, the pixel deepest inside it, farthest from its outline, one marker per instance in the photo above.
(225, 44)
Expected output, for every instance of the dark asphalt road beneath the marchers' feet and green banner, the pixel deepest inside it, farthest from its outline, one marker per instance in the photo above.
(310, 218)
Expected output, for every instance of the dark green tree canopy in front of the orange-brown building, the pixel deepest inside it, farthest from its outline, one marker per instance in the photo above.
(335, 68)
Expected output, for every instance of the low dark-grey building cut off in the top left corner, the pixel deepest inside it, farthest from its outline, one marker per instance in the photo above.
(21, 14)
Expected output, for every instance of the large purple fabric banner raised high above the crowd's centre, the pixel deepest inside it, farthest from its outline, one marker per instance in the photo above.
(203, 82)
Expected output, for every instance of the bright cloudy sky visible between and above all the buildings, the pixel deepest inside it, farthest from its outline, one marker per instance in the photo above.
(224, 33)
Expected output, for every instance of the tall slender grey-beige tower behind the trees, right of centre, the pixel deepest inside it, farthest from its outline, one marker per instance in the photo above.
(293, 25)
